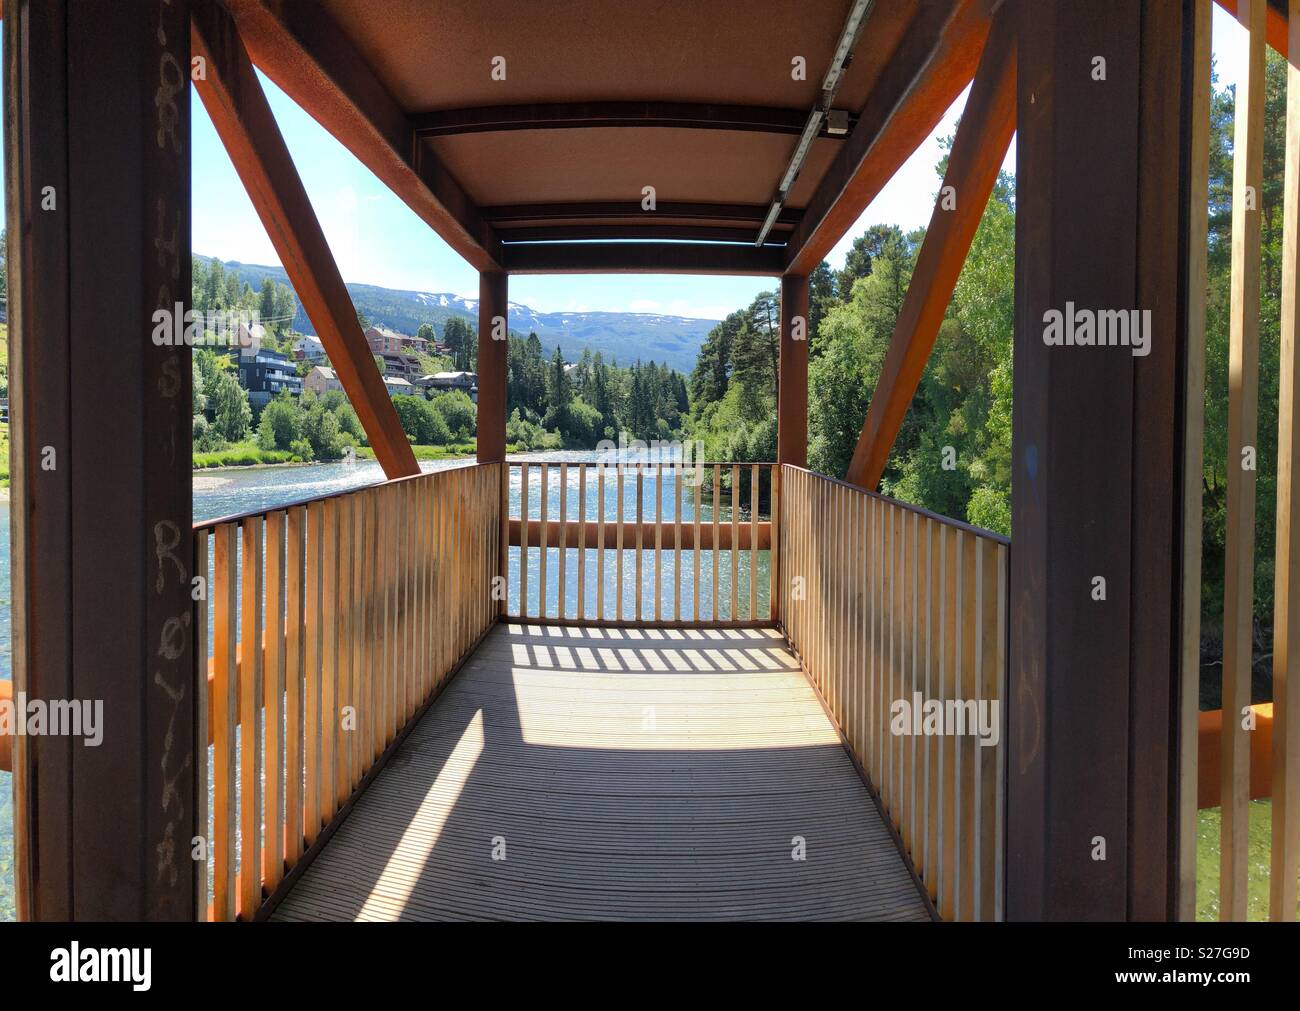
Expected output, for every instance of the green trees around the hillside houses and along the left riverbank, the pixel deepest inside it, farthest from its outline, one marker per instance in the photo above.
(552, 403)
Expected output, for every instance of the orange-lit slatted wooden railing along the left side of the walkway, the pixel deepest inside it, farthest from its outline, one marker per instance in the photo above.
(326, 628)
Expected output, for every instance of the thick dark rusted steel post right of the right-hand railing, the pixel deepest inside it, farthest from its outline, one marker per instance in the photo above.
(1093, 698)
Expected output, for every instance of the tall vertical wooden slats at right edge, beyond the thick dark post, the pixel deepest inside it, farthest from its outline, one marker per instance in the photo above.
(1250, 767)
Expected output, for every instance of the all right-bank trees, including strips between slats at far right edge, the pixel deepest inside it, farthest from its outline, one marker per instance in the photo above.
(965, 396)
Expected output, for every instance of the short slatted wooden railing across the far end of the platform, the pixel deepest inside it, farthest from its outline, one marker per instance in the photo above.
(642, 544)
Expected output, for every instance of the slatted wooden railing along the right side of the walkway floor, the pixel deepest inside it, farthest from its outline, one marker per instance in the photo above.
(887, 604)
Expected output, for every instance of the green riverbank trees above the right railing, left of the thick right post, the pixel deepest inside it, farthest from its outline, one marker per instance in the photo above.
(964, 401)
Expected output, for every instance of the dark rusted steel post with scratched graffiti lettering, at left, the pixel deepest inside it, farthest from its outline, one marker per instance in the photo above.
(99, 281)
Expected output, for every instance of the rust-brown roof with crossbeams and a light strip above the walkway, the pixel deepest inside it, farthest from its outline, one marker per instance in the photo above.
(543, 166)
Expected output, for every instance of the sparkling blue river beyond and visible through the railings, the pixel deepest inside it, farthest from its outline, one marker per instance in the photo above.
(226, 493)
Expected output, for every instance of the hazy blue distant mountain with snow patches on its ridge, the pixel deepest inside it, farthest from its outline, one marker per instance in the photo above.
(619, 336)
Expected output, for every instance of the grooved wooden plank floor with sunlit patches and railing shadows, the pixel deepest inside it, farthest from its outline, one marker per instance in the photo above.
(616, 774)
